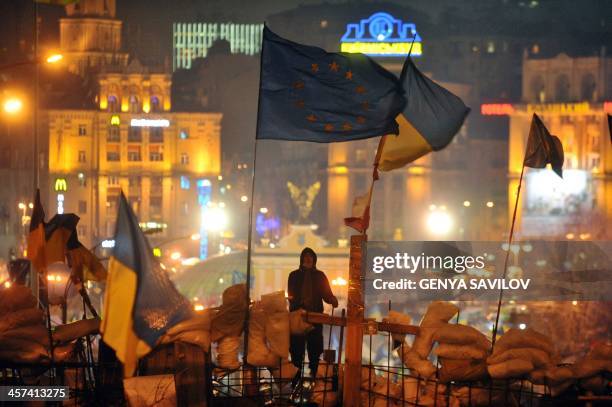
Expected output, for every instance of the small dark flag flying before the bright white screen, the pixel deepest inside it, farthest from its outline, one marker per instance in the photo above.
(543, 148)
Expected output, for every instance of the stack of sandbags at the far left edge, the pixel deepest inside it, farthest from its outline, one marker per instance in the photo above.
(23, 335)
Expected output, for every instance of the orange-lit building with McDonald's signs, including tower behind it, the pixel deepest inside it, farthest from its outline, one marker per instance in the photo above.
(132, 141)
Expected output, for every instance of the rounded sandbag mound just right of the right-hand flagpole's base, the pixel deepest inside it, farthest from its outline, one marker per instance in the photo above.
(520, 352)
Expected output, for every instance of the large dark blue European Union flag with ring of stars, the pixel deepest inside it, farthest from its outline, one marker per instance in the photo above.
(308, 94)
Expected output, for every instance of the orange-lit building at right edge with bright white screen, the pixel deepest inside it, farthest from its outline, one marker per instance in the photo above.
(572, 96)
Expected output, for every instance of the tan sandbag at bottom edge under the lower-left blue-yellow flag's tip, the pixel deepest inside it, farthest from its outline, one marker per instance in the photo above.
(145, 391)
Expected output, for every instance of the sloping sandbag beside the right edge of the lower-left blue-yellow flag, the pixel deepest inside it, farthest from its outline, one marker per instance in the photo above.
(195, 331)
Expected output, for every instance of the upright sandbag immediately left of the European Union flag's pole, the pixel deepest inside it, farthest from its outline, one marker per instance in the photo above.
(229, 320)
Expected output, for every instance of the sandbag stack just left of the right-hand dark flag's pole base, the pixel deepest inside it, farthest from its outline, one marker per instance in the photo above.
(462, 352)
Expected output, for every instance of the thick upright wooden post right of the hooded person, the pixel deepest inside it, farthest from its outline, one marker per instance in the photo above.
(354, 330)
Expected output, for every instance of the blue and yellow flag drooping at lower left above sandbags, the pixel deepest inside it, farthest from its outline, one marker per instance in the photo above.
(140, 302)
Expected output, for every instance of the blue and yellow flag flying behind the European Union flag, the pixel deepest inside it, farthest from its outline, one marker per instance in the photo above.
(430, 120)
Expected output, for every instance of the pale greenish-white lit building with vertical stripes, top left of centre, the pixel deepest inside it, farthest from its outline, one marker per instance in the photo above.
(193, 40)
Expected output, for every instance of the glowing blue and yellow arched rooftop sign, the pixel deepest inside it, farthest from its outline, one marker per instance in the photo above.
(382, 35)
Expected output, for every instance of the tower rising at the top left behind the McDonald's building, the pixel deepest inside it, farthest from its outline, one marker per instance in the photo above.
(90, 36)
